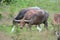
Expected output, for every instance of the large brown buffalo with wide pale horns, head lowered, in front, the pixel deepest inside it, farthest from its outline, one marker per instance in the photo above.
(34, 16)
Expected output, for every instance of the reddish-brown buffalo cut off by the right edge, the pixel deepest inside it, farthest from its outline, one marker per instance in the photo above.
(56, 21)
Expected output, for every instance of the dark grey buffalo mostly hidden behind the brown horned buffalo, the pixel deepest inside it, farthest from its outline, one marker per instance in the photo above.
(21, 15)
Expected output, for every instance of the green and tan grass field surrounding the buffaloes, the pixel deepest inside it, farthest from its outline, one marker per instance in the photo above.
(8, 12)
